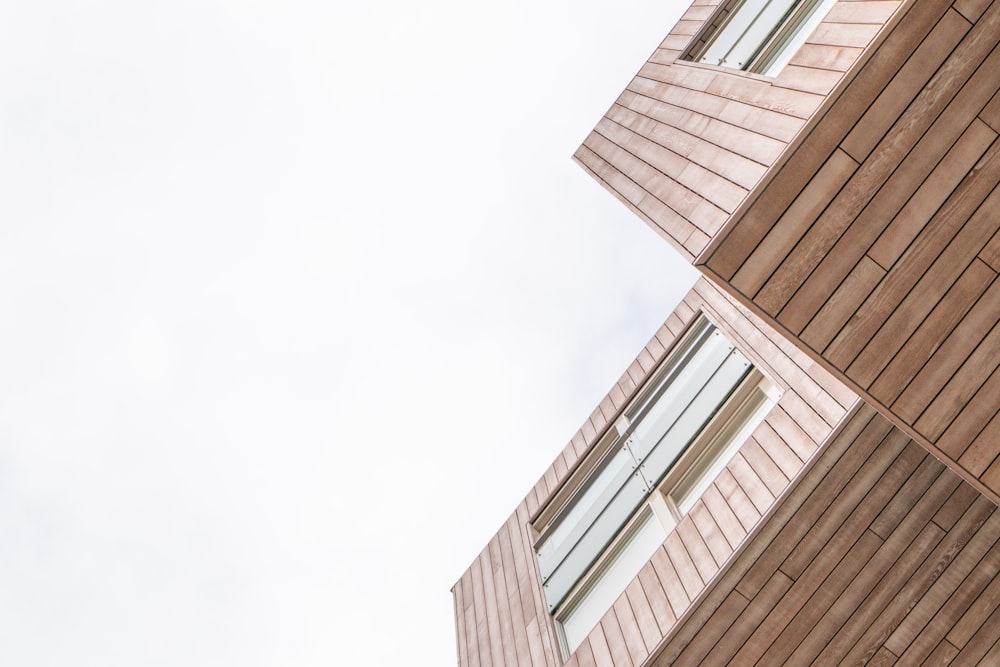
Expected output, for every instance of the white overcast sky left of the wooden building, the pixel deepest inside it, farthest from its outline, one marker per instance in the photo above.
(297, 300)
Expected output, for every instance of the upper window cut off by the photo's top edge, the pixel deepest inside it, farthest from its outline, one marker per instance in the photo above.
(762, 35)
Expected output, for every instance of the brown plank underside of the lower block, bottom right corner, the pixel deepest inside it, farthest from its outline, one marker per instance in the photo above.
(878, 555)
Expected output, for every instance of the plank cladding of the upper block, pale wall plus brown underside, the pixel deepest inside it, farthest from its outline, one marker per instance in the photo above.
(850, 201)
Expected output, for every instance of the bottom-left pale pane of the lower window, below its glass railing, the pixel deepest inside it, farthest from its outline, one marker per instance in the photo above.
(585, 615)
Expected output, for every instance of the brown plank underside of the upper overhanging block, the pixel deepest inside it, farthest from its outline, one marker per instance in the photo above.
(875, 243)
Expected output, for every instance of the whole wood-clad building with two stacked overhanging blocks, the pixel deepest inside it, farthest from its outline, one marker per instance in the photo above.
(802, 466)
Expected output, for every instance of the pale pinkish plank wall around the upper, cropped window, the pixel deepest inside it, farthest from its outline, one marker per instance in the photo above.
(685, 142)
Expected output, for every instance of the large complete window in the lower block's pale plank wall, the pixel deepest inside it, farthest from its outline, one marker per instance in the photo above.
(646, 473)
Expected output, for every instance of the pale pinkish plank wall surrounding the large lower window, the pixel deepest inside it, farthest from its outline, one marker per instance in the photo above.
(501, 616)
